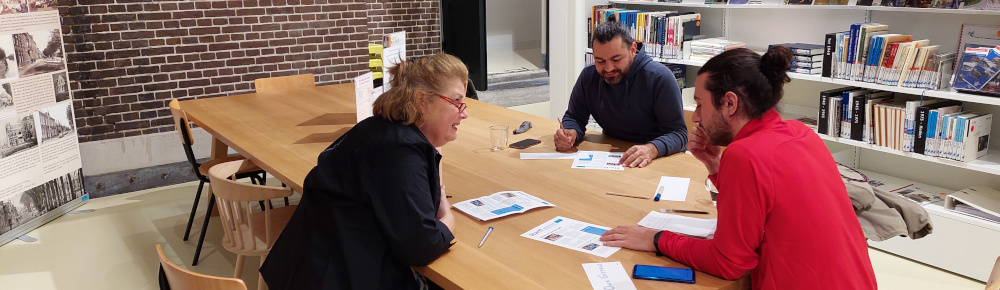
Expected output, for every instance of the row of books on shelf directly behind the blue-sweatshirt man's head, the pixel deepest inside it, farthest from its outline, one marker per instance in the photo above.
(662, 32)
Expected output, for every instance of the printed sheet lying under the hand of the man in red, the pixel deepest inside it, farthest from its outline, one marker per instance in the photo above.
(572, 234)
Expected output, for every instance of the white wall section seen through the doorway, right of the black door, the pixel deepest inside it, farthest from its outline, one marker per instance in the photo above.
(513, 25)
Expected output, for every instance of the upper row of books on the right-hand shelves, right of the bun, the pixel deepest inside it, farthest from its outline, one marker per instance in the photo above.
(868, 52)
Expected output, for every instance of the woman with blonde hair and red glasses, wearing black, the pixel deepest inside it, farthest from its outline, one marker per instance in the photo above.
(373, 206)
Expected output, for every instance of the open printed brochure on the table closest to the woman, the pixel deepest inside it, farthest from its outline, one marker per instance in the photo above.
(500, 204)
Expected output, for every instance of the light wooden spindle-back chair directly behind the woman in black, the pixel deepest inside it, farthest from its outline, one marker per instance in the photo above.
(247, 233)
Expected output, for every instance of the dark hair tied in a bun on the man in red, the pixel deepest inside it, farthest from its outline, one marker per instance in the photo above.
(757, 80)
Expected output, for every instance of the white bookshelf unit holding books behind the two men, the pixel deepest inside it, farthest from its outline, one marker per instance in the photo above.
(959, 243)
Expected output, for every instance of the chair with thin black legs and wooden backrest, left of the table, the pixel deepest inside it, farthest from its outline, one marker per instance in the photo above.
(201, 171)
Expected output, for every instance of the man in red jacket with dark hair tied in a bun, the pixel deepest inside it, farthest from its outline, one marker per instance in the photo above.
(784, 213)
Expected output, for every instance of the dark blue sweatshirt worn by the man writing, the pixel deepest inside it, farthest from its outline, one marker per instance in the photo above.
(645, 107)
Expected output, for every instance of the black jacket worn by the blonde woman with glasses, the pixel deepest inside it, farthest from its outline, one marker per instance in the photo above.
(367, 214)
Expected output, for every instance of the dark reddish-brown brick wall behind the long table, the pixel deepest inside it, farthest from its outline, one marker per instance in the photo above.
(128, 58)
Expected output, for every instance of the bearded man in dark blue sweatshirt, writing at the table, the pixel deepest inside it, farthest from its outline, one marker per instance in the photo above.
(632, 98)
